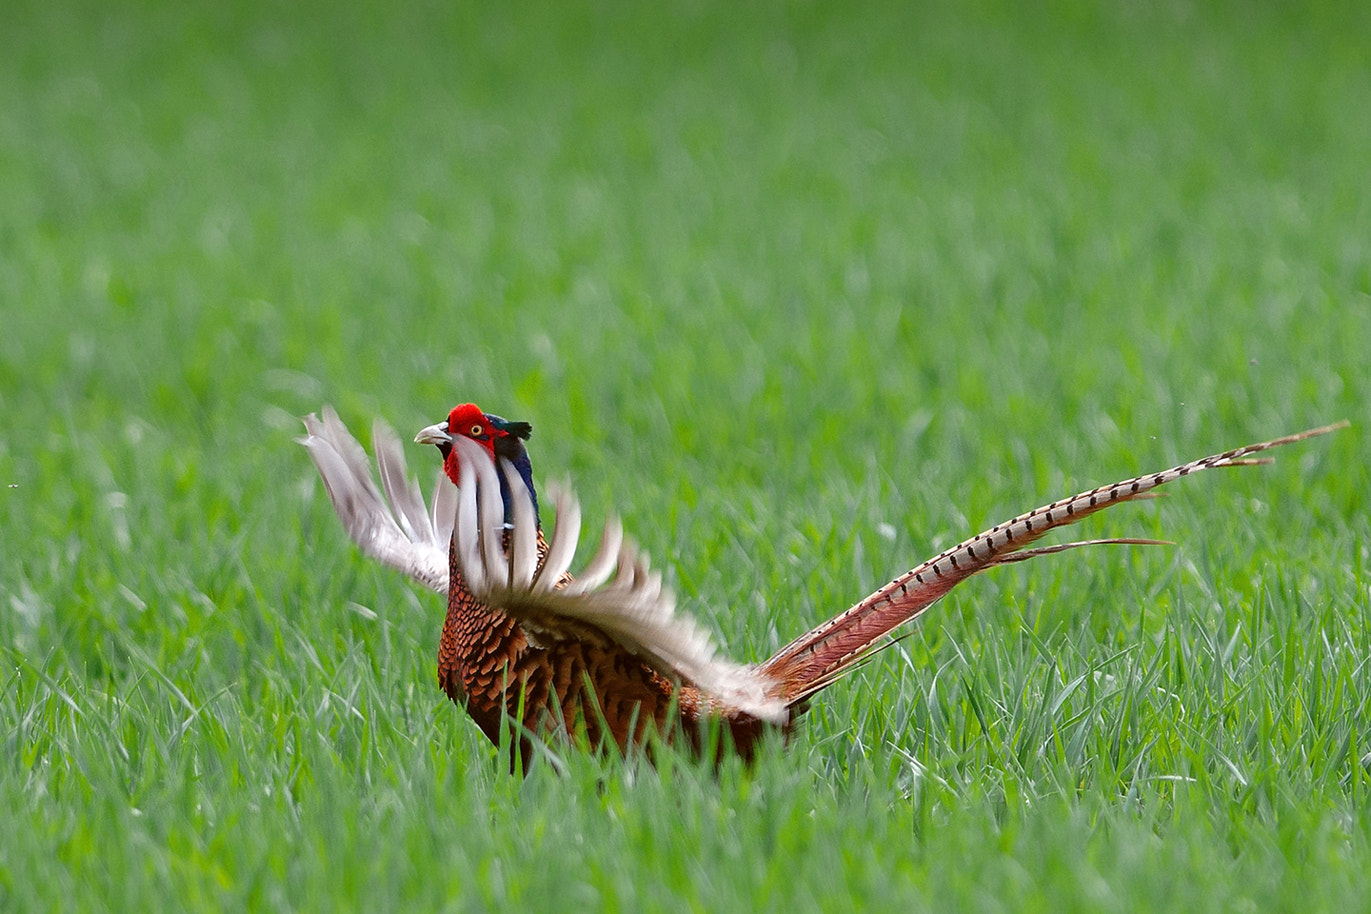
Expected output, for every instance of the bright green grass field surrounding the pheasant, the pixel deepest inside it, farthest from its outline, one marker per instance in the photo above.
(807, 293)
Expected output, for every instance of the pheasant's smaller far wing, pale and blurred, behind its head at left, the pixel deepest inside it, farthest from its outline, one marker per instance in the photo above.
(397, 528)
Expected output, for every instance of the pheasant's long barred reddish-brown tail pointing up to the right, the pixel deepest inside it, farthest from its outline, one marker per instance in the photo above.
(823, 656)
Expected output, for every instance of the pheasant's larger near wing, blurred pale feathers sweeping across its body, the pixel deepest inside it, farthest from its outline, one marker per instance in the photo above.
(616, 597)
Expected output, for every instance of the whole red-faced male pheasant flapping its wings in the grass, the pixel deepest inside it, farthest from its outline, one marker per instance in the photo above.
(534, 653)
